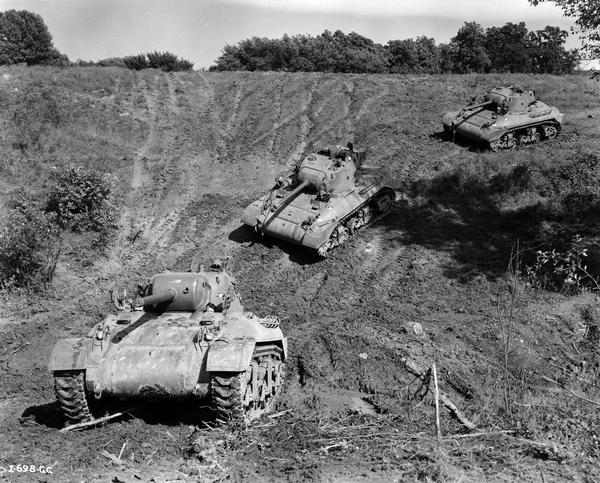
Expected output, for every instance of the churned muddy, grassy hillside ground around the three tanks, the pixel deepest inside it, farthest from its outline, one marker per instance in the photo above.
(428, 282)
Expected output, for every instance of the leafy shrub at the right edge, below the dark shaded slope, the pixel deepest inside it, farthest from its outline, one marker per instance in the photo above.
(564, 271)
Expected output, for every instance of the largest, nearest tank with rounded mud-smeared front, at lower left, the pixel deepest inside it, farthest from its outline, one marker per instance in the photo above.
(186, 337)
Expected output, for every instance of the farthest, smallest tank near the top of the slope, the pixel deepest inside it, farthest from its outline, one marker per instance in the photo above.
(508, 117)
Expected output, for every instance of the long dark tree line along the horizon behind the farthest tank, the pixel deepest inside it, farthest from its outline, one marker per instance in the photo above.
(510, 48)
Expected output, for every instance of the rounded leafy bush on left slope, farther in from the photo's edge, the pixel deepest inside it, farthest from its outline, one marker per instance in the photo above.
(81, 201)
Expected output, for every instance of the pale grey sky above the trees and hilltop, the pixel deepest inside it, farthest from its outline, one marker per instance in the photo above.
(198, 30)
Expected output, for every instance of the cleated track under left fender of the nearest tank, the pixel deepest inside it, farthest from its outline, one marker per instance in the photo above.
(69, 387)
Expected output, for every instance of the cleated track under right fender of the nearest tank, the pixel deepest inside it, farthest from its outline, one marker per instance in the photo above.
(234, 397)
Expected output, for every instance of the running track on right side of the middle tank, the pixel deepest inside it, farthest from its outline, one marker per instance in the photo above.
(366, 214)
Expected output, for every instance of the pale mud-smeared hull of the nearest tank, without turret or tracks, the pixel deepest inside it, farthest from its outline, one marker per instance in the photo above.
(159, 356)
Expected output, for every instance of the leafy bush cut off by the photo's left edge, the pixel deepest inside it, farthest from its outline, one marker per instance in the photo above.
(29, 245)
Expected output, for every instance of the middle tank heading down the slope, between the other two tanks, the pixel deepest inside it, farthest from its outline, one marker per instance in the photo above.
(323, 201)
